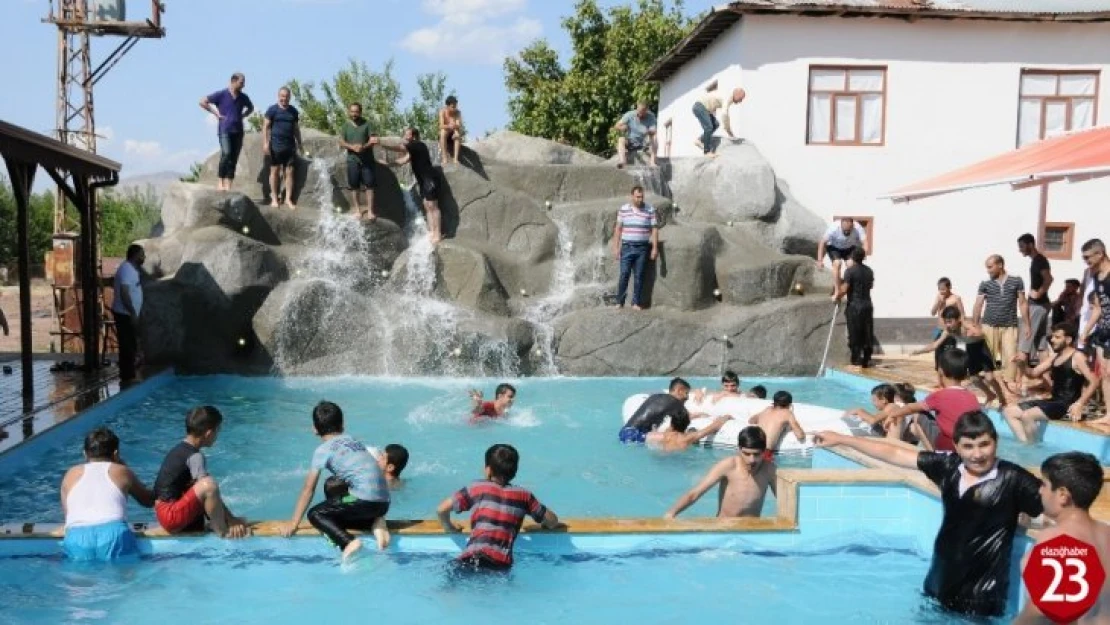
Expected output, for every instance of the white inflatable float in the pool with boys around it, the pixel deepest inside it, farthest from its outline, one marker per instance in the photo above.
(813, 419)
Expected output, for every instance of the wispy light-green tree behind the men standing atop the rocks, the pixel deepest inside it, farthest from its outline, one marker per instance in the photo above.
(324, 105)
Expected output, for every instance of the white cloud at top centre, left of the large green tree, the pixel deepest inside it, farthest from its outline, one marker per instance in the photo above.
(473, 31)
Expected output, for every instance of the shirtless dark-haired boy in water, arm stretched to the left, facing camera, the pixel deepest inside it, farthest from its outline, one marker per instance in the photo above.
(744, 480)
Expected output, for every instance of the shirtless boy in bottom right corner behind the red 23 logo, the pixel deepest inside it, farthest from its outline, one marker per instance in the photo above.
(1071, 485)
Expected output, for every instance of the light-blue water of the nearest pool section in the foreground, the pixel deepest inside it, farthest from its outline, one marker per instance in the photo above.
(300, 582)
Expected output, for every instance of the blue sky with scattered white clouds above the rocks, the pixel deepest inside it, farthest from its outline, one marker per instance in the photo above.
(147, 108)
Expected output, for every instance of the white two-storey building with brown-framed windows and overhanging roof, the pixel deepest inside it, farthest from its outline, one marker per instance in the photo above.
(854, 99)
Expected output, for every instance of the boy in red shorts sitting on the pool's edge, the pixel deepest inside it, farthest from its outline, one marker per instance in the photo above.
(186, 493)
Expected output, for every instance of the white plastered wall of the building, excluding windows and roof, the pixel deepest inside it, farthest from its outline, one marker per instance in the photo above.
(952, 100)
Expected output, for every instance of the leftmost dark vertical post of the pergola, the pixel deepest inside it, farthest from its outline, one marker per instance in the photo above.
(23, 178)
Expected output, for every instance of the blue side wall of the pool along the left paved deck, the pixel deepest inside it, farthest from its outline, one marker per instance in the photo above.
(75, 428)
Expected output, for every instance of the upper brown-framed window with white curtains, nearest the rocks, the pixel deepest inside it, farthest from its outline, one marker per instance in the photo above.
(847, 106)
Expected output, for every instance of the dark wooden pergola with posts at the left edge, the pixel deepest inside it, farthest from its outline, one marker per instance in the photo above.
(24, 153)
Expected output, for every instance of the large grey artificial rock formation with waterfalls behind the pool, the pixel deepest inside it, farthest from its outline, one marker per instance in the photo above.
(522, 285)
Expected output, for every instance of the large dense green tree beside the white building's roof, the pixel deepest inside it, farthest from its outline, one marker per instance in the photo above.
(612, 52)
